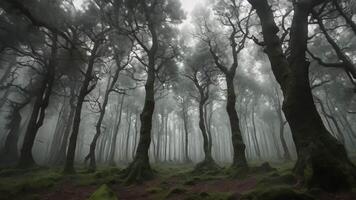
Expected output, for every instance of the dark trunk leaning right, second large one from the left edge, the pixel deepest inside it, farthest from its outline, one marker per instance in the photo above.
(39, 110)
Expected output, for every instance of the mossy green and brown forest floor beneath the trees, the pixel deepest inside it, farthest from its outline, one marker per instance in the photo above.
(172, 181)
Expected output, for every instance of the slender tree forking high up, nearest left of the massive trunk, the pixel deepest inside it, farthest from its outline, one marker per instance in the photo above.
(229, 14)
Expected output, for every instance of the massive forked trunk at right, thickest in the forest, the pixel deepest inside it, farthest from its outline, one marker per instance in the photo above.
(322, 160)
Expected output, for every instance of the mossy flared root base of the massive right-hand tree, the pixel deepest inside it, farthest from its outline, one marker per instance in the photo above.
(326, 167)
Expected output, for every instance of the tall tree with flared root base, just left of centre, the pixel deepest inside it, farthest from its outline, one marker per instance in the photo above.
(153, 17)
